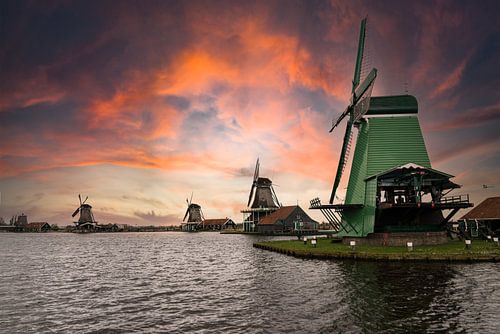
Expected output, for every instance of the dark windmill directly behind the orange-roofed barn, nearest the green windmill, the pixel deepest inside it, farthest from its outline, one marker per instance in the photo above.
(262, 200)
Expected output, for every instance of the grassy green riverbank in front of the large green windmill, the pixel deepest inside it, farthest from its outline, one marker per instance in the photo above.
(480, 251)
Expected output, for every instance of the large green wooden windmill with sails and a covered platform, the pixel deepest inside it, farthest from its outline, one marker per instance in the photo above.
(391, 187)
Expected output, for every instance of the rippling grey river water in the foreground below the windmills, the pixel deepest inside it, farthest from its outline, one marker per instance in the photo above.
(212, 283)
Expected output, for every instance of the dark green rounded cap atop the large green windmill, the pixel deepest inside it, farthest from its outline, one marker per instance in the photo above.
(395, 104)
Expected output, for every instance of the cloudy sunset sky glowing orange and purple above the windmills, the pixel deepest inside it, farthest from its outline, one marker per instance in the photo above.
(139, 104)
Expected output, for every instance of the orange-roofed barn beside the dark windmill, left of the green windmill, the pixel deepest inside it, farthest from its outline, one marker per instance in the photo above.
(287, 219)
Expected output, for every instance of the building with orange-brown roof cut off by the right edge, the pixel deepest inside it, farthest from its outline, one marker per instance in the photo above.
(486, 214)
